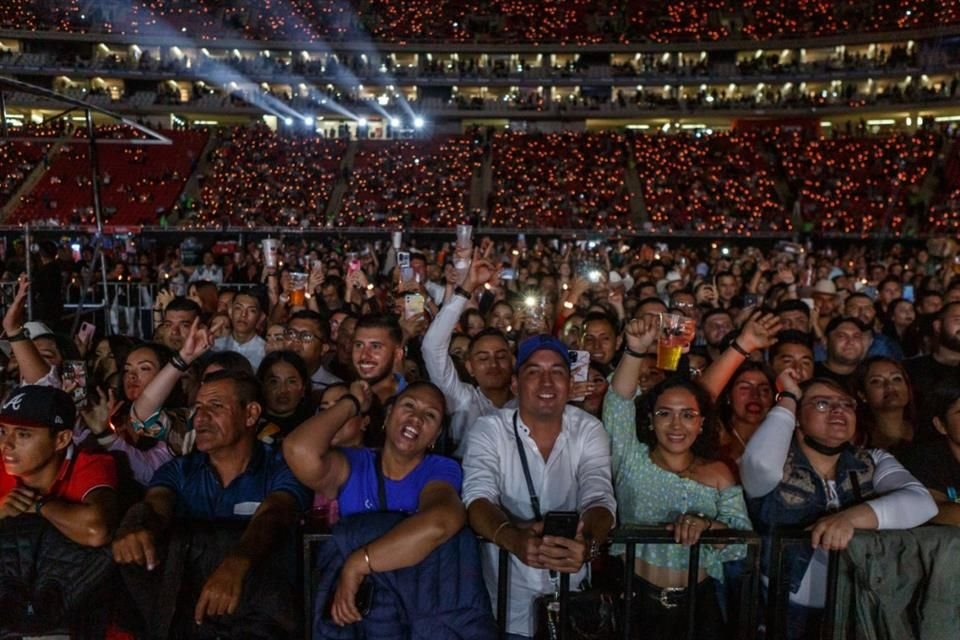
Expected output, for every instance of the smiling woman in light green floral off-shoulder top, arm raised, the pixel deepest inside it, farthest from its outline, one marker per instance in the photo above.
(663, 475)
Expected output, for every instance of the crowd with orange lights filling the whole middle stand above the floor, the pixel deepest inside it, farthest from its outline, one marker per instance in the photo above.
(733, 182)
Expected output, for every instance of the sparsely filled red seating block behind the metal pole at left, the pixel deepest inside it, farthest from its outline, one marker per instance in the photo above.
(138, 183)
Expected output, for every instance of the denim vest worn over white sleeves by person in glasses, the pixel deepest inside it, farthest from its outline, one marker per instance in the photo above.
(801, 499)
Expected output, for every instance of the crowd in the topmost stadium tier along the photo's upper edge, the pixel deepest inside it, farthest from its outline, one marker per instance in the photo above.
(522, 21)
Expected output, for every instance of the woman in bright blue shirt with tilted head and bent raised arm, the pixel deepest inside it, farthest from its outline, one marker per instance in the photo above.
(416, 482)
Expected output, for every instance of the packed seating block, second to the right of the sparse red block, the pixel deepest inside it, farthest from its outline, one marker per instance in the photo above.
(423, 183)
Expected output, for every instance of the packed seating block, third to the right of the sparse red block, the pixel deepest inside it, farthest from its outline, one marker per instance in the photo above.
(562, 180)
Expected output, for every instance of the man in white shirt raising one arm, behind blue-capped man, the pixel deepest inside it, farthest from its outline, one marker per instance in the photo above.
(489, 360)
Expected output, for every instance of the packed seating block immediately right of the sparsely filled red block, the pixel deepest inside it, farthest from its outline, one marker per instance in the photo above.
(260, 177)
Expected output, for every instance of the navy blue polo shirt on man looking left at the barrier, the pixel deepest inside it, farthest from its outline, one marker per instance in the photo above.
(200, 496)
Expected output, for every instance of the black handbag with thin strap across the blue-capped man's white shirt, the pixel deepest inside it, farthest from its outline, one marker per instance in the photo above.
(593, 613)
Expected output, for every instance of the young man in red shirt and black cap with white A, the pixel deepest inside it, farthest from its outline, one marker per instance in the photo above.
(43, 473)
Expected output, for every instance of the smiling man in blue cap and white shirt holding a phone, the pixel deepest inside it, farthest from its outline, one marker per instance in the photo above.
(567, 455)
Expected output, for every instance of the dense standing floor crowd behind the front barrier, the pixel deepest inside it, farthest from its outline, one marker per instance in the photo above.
(414, 395)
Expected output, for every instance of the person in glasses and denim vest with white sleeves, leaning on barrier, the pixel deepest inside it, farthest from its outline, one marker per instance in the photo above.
(800, 470)
